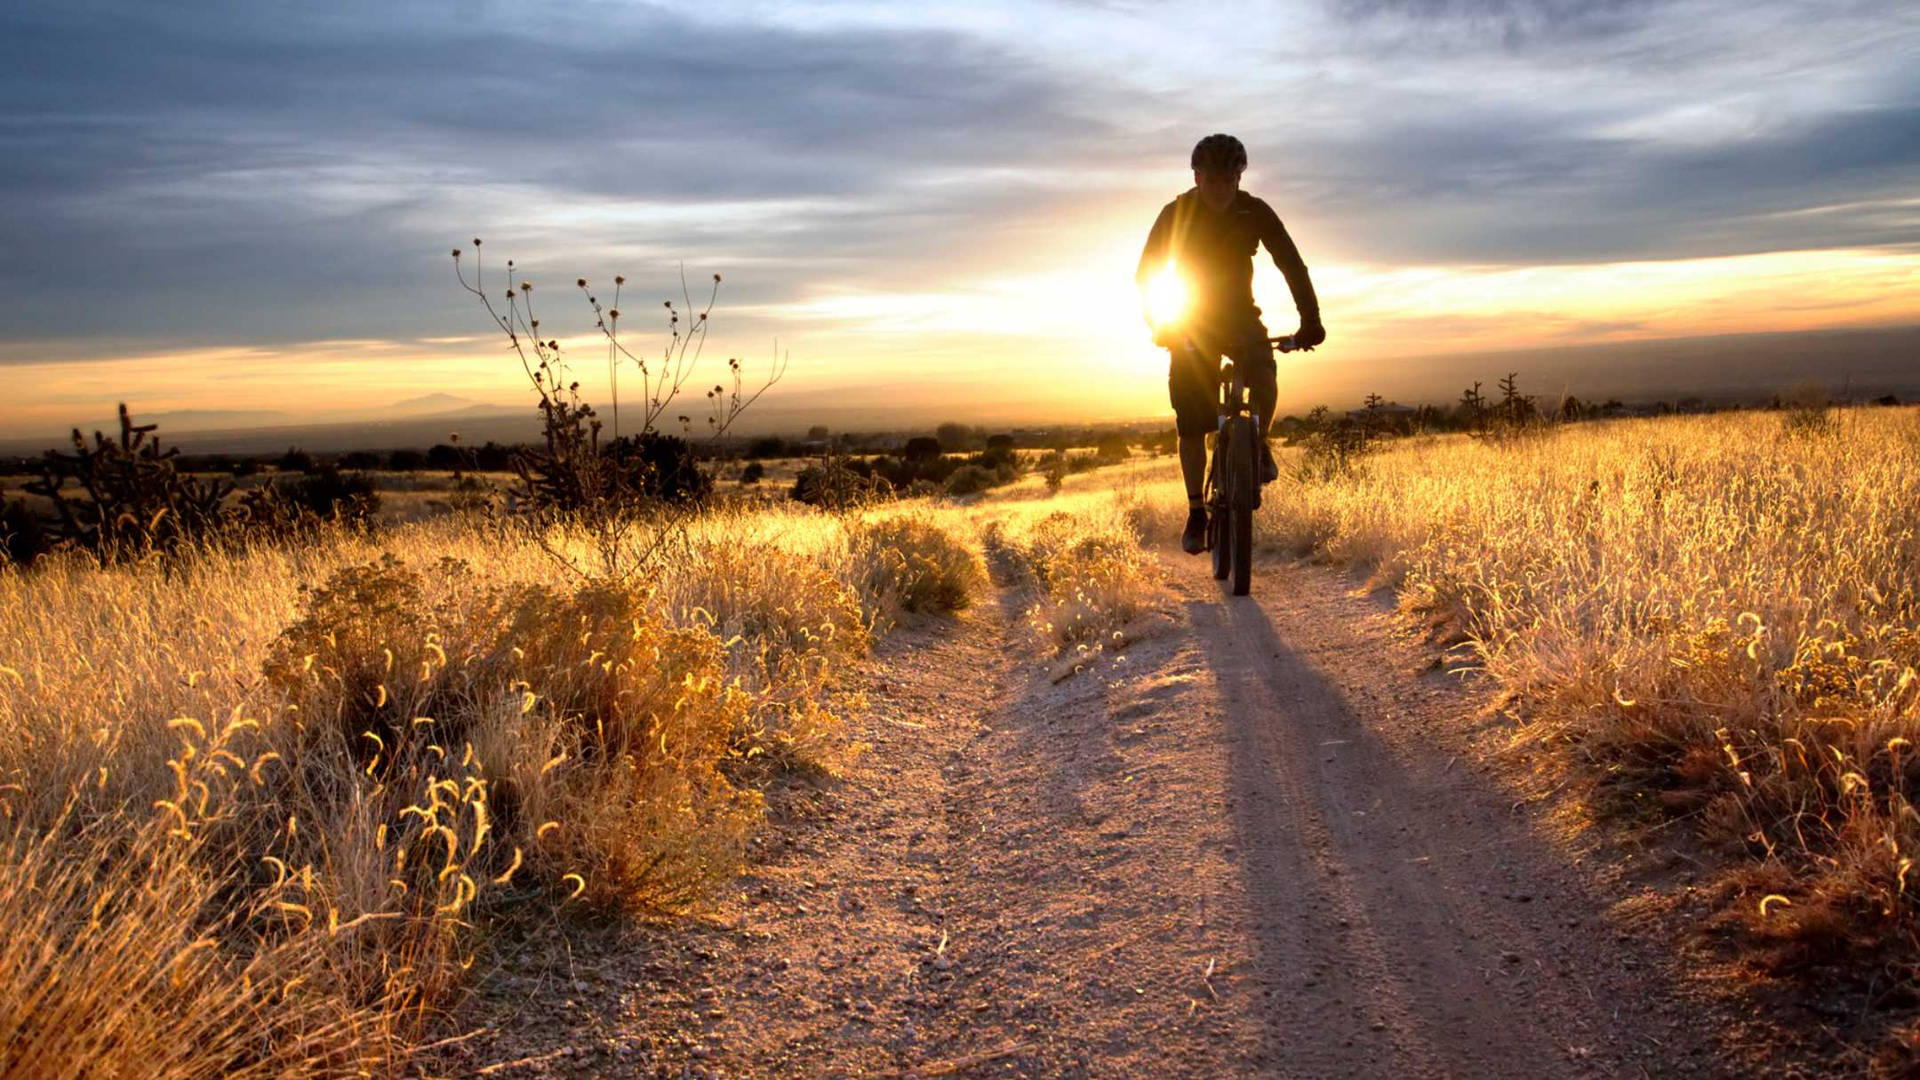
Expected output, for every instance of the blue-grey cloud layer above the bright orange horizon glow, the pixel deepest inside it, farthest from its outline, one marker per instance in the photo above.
(249, 174)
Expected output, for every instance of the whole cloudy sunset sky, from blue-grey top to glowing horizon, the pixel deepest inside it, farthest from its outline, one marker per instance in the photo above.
(252, 205)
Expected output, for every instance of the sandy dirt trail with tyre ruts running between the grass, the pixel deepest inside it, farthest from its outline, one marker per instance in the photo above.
(1257, 843)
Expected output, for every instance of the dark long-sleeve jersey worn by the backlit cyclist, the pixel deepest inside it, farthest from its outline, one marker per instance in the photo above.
(1216, 251)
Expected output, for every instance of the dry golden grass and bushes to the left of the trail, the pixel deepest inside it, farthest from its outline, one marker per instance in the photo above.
(260, 808)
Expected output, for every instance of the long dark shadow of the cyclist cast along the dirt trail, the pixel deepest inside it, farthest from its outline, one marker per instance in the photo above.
(1395, 916)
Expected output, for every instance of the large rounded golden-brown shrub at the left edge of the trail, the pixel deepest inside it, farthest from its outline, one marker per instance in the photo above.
(598, 731)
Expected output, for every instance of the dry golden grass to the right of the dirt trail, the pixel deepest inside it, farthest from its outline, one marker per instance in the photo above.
(1721, 614)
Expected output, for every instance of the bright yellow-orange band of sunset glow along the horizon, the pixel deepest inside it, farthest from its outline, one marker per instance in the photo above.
(1063, 337)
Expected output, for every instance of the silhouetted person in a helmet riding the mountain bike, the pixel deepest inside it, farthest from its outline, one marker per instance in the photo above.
(1211, 235)
